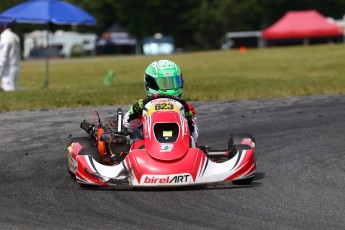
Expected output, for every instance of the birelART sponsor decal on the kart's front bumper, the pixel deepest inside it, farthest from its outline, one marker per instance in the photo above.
(166, 179)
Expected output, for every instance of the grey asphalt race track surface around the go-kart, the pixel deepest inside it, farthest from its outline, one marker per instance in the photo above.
(299, 184)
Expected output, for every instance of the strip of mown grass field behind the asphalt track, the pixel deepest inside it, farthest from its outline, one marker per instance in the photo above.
(213, 75)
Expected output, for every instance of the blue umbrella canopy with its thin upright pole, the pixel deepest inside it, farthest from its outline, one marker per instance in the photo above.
(48, 11)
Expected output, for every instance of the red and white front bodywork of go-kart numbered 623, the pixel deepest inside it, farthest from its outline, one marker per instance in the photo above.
(164, 157)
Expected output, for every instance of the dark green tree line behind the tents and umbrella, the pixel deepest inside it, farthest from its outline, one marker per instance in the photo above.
(194, 24)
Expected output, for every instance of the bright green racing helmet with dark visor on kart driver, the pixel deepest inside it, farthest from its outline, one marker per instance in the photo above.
(163, 77)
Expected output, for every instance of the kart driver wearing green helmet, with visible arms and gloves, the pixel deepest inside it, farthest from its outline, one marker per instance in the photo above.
(161, 77)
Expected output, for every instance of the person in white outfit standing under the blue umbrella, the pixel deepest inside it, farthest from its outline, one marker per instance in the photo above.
(9, 58)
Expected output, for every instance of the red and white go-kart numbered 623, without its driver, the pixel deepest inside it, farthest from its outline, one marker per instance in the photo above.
(161, 155)
